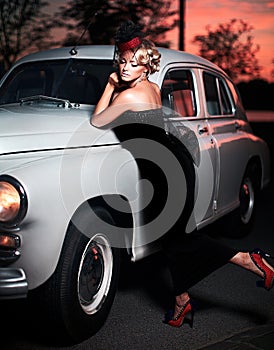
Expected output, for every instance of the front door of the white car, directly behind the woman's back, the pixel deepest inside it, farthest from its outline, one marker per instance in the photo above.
(181, 98)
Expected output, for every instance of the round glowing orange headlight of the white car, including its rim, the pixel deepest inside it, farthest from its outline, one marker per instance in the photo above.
(13, 201)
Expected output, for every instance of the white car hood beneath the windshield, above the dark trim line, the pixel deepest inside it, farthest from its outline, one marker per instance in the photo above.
(27, 128)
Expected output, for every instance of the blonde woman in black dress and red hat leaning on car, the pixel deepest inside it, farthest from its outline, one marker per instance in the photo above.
(190, 256)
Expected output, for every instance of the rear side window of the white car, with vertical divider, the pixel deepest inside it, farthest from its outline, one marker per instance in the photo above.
(218, 100)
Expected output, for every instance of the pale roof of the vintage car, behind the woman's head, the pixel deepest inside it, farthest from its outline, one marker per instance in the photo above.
(168, 56)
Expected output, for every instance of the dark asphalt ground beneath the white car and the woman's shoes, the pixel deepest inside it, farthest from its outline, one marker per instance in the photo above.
(227, 302)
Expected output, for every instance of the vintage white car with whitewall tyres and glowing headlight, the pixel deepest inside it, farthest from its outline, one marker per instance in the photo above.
(62, 180)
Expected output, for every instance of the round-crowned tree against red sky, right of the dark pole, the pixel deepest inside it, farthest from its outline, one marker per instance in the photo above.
(231, 47)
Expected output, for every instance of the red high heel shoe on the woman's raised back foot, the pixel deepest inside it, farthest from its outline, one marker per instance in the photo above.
(257, 256)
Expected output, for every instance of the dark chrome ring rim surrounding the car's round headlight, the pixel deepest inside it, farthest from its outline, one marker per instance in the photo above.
(23, 202)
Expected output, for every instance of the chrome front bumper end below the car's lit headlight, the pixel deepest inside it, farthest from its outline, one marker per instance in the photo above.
(13, 283)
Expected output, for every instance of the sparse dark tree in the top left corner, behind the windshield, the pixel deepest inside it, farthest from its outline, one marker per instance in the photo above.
(24, 28)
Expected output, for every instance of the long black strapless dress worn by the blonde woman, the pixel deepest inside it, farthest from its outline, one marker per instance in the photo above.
(191, 256)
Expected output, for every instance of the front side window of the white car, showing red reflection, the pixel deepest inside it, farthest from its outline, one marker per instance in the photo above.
(178, 93)
